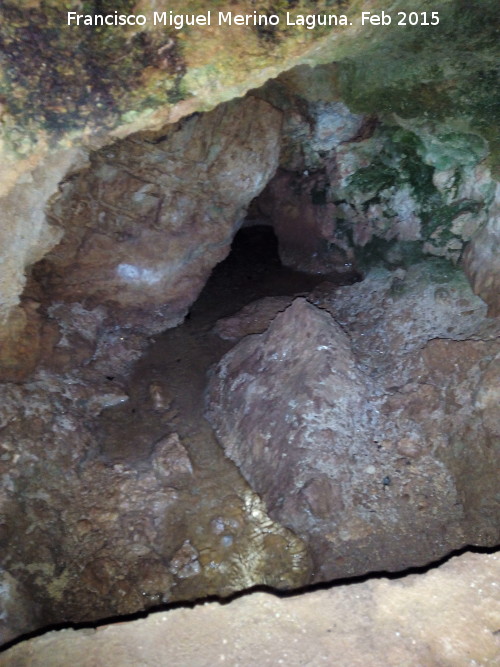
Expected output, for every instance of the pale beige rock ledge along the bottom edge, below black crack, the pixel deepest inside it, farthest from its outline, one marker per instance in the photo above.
(448, 617)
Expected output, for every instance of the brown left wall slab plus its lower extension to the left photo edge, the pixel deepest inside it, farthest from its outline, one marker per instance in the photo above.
(140, 228)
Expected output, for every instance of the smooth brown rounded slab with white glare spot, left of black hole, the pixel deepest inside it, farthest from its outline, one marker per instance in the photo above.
(145, 224)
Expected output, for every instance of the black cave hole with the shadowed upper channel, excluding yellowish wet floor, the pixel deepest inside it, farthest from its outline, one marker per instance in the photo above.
(166, 387)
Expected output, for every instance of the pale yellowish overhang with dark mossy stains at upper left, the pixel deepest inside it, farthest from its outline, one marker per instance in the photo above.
(67, 91)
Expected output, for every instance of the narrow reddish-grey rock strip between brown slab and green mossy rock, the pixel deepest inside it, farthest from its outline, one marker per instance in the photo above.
(296, 201)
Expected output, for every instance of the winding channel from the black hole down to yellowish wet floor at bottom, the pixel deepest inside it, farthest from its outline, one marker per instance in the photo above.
(166, 393)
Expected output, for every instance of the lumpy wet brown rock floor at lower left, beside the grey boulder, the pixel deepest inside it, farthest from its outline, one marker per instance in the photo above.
(91, 528)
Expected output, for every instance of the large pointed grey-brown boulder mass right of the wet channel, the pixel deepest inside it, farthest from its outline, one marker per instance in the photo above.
(372, 434)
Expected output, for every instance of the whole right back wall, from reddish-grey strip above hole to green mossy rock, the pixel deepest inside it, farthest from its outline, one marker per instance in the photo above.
(361, 189)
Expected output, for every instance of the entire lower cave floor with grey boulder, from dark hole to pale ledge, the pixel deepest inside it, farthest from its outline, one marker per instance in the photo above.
(382, 394)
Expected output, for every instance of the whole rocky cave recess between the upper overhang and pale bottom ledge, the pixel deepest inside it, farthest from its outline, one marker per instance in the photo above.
(253, 358)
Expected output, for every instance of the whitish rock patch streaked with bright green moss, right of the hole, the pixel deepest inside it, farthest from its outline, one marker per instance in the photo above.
(397, 200)
